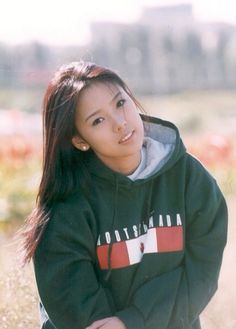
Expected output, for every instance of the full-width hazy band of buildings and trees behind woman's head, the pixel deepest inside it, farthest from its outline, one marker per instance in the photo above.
(166, 50)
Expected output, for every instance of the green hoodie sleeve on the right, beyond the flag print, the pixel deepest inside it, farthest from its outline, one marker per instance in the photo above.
(175, 299)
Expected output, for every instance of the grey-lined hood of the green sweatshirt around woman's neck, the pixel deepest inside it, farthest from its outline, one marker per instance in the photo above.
(161, 149)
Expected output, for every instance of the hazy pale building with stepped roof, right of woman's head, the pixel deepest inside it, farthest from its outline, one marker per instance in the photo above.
(167, 50)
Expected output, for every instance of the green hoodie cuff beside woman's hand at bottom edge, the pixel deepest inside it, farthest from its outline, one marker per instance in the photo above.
(131, 317)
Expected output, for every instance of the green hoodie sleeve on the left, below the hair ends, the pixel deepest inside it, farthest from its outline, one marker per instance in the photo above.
(64, 268)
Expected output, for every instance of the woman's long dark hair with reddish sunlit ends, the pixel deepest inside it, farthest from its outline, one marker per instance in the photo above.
(61, 160)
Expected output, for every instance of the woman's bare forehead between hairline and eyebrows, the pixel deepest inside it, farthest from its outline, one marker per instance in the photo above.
(97, 95)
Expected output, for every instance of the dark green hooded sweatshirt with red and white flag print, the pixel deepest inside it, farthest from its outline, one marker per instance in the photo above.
(147, 250)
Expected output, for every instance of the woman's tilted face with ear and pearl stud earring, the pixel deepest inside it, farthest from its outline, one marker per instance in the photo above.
(108, 122)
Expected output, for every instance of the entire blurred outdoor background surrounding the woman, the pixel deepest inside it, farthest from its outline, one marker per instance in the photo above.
(179, 58)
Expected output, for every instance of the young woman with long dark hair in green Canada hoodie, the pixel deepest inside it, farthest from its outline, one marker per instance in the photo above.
(129, 228)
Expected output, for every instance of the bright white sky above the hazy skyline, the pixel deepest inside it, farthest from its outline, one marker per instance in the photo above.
(66, 22)
